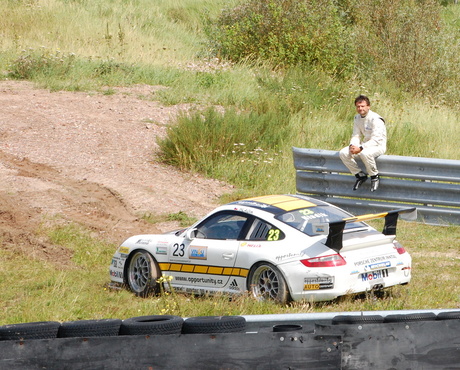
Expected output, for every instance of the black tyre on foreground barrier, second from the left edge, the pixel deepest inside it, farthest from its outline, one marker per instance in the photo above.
(90, 328)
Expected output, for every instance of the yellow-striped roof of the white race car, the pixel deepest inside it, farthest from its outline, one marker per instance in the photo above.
(278, 204)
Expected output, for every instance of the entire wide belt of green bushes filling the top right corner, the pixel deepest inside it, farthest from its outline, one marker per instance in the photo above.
(405, 42)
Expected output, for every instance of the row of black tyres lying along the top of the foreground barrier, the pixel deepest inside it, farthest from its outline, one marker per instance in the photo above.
(170, 324)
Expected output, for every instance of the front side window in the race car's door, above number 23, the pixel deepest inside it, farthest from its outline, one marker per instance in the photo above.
(224, 225)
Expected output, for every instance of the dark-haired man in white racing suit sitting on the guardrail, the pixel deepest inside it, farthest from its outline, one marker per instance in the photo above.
(369, 140)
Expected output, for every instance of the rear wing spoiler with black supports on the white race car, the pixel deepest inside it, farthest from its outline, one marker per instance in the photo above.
(334, 230)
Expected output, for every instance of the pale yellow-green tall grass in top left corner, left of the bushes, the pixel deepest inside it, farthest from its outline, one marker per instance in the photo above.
(157, 33)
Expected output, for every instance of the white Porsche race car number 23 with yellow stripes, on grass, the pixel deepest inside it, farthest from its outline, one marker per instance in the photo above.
(280, 247)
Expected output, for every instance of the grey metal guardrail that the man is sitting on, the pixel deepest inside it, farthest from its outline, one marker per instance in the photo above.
(432, 185)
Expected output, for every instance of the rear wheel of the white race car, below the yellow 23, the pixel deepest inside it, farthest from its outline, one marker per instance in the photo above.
(266, 282)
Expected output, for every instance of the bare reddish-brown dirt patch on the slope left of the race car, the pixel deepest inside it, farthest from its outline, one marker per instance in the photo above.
(90, 159)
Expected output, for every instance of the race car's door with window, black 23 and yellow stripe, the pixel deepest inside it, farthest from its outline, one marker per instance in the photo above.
(207, 261)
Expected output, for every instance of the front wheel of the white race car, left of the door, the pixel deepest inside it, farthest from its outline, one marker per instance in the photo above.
(142, 274)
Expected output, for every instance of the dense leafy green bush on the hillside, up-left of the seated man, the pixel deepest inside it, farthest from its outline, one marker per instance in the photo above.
(285, 32)
